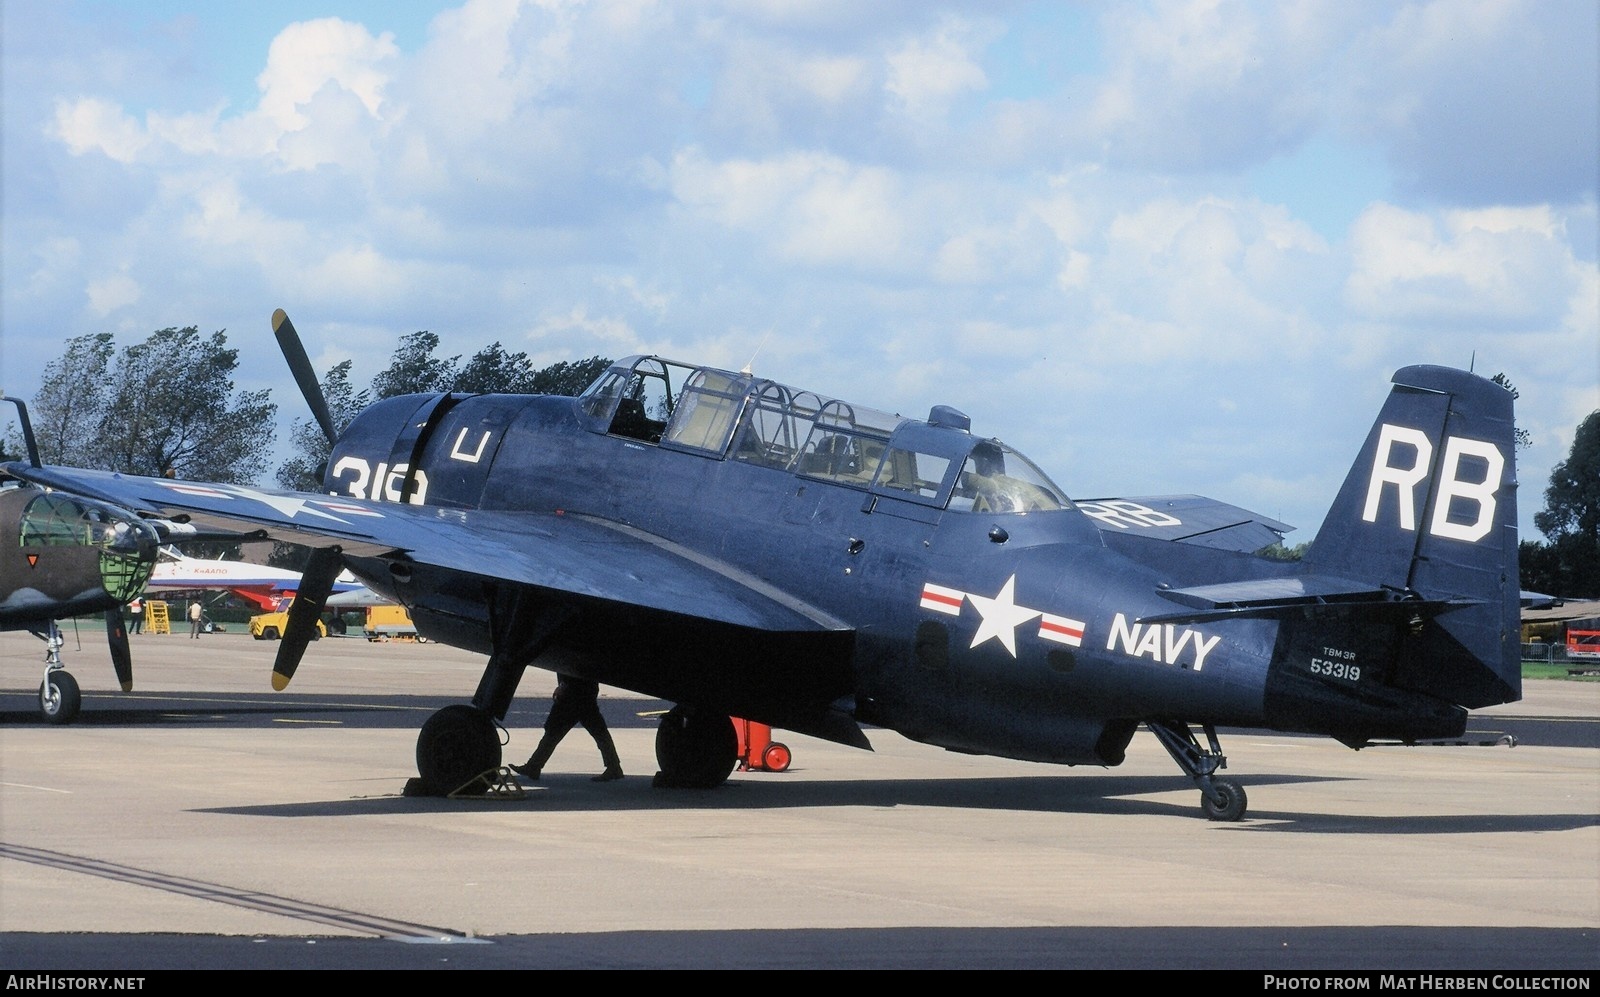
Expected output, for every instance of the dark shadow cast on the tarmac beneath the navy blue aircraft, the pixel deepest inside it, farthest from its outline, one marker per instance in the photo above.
(1066, 795)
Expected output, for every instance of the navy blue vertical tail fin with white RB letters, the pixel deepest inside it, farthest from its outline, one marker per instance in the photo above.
(1430, 516)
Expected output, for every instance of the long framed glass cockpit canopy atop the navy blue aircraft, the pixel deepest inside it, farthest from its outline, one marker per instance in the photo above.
(758, 422)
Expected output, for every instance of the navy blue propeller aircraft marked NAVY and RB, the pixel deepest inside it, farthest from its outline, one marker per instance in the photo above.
(742, 548)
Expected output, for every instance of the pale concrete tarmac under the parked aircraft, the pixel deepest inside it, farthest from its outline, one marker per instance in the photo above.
(178, 838)
